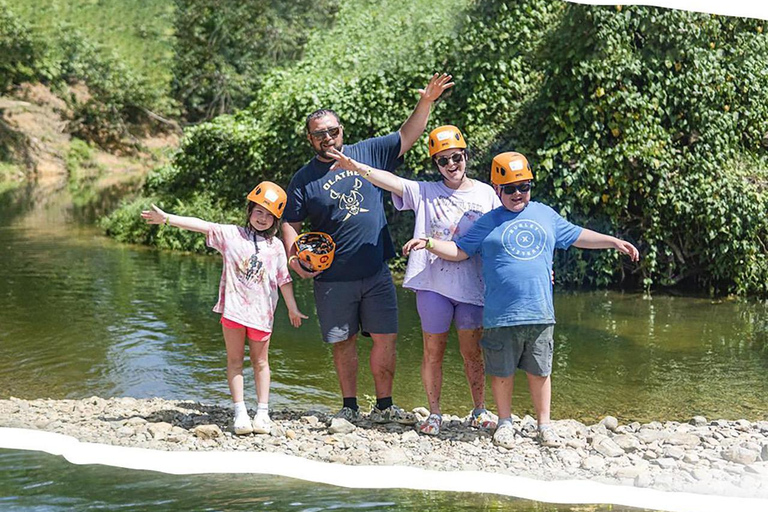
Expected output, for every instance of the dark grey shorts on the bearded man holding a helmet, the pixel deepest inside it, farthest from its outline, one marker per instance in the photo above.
(343, 307)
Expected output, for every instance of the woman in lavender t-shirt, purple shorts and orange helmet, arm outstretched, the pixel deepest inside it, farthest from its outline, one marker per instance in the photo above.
(446, 292)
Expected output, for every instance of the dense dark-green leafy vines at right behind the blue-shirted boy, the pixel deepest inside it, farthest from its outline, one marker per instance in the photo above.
(651, 122)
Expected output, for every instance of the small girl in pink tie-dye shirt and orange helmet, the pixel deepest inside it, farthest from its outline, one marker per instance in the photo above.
(255, 266)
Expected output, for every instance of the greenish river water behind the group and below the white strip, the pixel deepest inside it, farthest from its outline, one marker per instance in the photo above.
(82, 315)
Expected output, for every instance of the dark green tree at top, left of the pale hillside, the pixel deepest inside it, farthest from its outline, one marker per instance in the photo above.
(223, 48)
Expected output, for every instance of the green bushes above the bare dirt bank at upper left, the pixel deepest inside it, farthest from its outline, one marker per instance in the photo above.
(116, 102)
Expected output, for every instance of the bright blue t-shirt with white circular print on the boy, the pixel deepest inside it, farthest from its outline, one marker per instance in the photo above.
(517, 250)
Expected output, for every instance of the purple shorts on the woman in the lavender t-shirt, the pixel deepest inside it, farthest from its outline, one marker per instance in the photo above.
(438, 311)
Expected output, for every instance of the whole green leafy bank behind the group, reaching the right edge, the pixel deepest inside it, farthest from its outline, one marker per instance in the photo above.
(645, 123)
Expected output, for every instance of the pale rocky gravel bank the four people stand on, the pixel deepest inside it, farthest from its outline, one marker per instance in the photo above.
(710, 457)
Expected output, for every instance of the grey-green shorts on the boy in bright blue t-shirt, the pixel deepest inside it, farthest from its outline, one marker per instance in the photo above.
(528, 347)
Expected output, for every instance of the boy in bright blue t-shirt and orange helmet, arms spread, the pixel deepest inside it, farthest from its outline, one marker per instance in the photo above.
(516, 242)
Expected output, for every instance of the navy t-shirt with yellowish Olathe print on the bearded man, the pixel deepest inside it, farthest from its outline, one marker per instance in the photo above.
(347, 207)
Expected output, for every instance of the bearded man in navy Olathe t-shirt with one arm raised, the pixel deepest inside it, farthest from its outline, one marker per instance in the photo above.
(357, 290)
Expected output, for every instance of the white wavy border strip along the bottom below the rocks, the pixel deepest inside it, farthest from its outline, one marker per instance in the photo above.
(369, 477)
